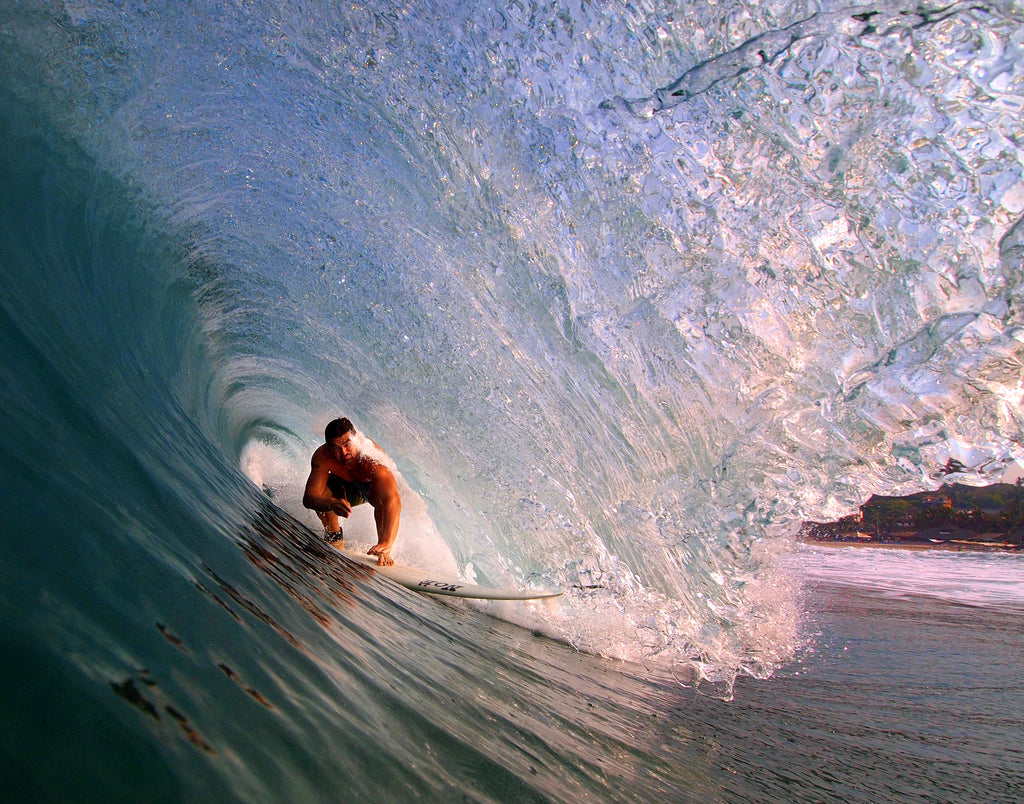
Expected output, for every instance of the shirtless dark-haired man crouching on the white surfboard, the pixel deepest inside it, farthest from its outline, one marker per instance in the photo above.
(346, 473)
